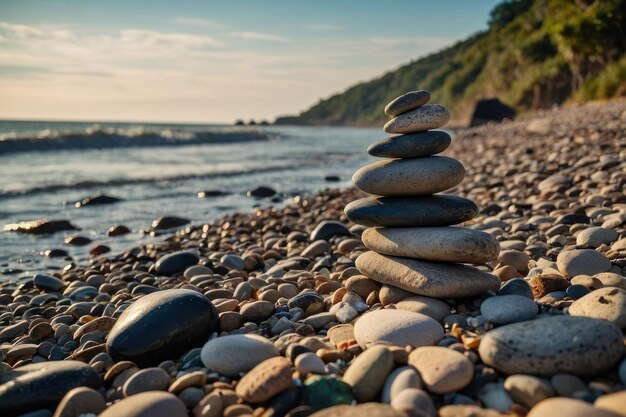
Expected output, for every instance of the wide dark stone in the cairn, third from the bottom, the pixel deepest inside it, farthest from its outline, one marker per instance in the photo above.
(416, 211)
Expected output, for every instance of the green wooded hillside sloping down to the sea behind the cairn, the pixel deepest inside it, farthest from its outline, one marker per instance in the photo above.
(536, 53)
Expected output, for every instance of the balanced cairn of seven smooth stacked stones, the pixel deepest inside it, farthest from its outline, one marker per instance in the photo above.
(413, 244)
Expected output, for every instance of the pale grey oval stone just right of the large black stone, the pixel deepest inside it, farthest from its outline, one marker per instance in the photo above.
(230, 355)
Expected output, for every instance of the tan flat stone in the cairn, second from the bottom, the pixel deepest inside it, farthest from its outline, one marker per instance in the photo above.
(447, 244)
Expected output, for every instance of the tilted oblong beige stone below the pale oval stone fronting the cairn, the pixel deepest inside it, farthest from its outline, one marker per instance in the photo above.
(368, 372)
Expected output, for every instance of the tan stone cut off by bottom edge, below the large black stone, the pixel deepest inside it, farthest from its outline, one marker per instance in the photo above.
(147, 404)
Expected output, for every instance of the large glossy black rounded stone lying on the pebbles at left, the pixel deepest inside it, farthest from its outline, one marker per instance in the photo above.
(162, 325)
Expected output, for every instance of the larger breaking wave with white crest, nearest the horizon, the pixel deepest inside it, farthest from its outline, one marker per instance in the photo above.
(97, 137)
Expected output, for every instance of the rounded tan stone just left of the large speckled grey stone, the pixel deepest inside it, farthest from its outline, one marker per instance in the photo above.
(443, 370)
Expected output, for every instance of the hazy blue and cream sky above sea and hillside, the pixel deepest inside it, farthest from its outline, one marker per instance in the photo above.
(209, 61)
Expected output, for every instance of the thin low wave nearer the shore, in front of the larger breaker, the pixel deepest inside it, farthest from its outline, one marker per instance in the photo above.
(117, 182)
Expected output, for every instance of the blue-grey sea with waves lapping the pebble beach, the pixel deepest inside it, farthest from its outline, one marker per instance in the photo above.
(157, 170)
